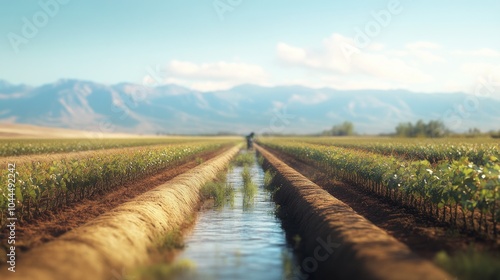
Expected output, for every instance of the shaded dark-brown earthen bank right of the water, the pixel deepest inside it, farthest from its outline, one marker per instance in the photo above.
(339, 243)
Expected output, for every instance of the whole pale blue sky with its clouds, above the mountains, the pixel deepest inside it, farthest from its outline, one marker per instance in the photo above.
(428, 46)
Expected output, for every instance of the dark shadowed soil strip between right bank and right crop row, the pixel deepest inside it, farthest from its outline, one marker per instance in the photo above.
(424, 236)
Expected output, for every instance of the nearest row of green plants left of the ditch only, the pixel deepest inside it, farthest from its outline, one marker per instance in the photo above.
(45, 185)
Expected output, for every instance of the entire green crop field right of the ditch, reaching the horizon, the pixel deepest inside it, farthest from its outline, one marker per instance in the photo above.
(452, 180)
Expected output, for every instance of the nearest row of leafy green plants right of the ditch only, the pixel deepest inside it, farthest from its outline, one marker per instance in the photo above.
(458, 192)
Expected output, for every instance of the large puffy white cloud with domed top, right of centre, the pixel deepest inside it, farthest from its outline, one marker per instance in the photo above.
(335, 56)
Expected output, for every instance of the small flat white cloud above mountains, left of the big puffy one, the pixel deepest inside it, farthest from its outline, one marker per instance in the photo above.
(214, 76)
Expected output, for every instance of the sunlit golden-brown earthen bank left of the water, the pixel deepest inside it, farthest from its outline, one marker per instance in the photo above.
(119, 239)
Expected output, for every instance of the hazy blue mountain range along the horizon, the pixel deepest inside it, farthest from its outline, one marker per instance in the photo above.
(172, 109)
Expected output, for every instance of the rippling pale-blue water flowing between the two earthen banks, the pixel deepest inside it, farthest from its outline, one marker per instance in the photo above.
(240, 241)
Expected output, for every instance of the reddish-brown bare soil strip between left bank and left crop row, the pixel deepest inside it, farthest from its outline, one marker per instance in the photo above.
(30, 234)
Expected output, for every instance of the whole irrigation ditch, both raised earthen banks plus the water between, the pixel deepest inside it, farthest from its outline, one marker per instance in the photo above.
(239, 237)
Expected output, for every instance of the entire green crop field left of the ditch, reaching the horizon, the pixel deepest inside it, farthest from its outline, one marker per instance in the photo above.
(44, 181)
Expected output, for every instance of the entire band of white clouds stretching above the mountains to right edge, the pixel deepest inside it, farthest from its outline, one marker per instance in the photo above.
(335, 62)
